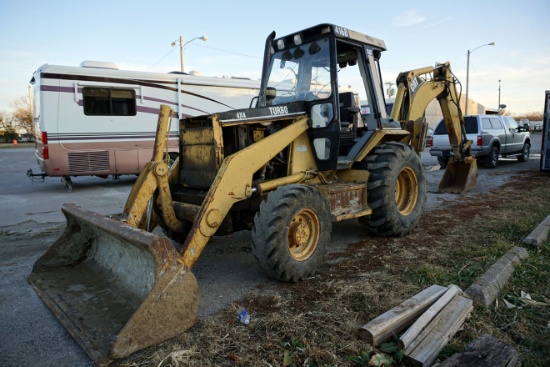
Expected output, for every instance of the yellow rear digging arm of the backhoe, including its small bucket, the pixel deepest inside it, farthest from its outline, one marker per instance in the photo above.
(416, 89)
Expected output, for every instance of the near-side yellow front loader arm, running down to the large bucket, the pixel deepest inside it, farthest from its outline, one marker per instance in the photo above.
(233, 183)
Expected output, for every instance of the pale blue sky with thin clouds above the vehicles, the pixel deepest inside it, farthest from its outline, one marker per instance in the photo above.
(136, 35)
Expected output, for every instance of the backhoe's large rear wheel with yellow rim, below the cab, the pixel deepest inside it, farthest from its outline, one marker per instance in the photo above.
(396, 189)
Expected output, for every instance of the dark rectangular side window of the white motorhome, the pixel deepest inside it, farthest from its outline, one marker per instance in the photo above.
(109, 102)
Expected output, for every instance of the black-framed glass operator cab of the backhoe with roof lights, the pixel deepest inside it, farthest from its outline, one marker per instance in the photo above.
(331, 71)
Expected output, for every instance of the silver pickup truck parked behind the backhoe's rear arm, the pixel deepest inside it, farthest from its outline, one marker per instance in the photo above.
(491, 135)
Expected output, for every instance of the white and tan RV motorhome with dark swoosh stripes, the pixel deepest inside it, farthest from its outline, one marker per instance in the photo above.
(98, 120)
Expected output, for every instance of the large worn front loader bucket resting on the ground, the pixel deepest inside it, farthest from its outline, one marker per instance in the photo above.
(115, 288)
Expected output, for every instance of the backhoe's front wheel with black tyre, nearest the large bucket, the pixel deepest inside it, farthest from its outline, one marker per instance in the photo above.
(291, 232)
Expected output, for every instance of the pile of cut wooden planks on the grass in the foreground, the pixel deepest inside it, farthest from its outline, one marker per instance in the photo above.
(431, 318)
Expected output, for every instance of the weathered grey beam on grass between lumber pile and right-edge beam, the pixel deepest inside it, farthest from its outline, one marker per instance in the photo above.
(485, 289)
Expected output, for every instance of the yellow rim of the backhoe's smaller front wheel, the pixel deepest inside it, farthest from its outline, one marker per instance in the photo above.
(303, 234)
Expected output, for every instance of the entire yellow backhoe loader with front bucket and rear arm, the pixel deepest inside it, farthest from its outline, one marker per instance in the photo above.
(315, 147)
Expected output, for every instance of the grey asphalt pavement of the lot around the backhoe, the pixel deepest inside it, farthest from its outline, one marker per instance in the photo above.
(31, 220)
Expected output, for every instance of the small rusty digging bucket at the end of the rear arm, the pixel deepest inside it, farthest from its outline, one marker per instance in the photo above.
(459, 177)
